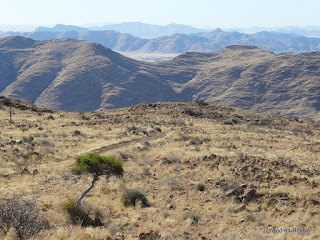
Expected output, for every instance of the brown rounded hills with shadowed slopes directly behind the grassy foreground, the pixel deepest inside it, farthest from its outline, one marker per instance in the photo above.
(85, 76)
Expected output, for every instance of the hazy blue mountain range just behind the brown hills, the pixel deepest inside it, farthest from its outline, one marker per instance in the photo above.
(179, 43)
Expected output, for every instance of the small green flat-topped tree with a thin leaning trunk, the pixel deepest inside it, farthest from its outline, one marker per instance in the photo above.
(98, 165)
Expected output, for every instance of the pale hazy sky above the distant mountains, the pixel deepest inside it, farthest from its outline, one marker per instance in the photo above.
(200, 13)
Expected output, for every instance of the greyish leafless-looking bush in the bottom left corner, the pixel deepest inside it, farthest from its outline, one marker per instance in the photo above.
(24, 216)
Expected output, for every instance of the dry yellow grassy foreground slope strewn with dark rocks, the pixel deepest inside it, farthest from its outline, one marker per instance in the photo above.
(207, 172)
